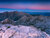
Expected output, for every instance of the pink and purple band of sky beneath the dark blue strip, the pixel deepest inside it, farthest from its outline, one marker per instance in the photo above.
(26, 6)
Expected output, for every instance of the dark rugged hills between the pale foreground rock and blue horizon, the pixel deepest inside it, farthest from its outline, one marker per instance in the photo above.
(21, 18)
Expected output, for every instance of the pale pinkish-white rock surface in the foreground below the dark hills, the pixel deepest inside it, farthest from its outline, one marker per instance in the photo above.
(20, 31)
